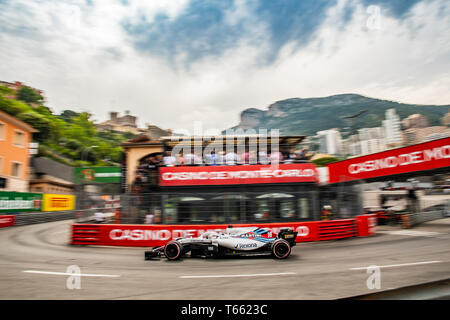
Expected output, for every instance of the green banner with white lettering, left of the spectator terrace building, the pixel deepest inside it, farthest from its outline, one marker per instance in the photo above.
(92, 175)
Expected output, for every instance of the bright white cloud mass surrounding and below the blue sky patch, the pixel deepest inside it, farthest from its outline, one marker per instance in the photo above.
(90, 64)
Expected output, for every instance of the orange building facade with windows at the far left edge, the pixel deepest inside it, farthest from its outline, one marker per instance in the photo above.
(15, 137)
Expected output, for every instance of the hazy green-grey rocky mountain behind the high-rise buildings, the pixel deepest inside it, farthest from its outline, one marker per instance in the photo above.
(298, 116)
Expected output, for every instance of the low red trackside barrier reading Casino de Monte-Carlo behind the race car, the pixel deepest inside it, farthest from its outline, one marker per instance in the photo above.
(156, 235)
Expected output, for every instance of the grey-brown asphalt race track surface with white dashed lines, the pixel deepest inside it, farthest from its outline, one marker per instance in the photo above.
(34, 262)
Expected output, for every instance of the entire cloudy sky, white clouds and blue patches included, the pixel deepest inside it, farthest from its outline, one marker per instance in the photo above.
(174, 62)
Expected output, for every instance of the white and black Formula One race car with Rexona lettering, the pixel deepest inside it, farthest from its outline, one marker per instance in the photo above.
(234, 242)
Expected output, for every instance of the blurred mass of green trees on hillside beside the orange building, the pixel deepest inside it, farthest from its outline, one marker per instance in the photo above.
(67, 137)
